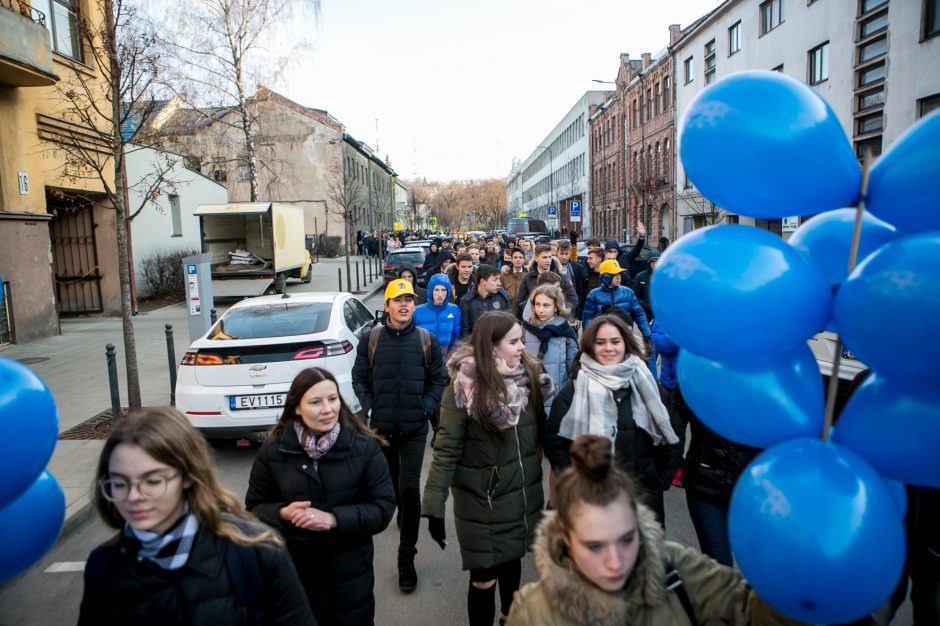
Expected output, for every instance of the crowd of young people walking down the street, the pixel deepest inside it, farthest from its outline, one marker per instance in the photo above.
(520, 352)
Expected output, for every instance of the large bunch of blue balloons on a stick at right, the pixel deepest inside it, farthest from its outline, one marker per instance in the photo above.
(816, 521)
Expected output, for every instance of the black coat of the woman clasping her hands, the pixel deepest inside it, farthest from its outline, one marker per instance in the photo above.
(352, 482)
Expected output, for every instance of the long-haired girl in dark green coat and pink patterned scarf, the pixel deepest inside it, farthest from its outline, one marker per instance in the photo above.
(486, 454)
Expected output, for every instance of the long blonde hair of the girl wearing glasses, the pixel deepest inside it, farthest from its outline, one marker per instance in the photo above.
(168, 437)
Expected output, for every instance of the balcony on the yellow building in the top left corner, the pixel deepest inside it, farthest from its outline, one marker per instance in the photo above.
(25, 52)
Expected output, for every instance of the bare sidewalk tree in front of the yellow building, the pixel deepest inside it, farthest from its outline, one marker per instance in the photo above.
(106, 109)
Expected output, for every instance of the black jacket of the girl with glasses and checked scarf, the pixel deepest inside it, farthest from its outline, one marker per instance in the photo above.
(121, 590)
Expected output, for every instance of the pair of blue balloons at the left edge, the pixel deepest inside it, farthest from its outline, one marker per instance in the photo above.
(32, 505)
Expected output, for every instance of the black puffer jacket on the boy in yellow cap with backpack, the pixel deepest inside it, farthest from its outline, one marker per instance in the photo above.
(403, 387)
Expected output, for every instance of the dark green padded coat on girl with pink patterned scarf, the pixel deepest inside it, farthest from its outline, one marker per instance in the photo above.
(496, 479)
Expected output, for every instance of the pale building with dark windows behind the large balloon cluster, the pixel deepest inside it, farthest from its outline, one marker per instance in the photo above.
(876, 62)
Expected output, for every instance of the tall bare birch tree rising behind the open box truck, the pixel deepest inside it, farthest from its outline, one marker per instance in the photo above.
(217, 52)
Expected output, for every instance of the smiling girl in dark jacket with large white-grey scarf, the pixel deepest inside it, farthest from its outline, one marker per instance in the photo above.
(615, 395)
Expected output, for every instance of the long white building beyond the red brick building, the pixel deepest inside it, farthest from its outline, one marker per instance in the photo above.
(557, 173)
